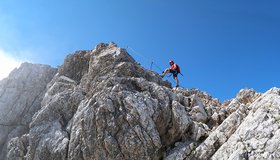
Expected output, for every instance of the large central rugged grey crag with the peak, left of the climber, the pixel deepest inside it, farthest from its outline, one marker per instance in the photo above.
(103, 105)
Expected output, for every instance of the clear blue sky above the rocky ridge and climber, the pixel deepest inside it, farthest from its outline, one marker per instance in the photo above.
(221, 46)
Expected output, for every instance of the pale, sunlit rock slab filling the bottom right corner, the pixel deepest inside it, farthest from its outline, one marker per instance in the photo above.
(259, 134)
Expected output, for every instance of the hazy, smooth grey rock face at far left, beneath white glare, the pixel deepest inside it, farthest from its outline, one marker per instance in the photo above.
(20, 97)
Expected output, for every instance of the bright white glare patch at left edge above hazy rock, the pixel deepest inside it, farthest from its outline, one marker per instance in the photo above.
(7, 64)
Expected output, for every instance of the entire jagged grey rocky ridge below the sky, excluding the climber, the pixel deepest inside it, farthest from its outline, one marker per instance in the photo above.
(102, 104)
